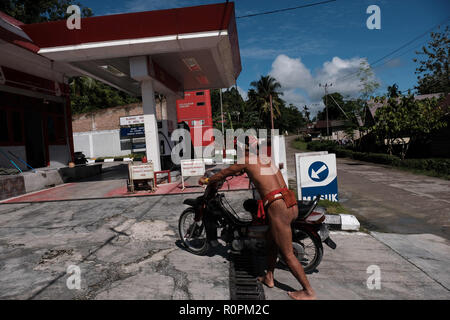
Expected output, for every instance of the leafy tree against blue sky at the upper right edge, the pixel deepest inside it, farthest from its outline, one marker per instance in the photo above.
(433, 70)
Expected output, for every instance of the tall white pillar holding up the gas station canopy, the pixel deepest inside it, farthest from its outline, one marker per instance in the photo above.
(150, 124)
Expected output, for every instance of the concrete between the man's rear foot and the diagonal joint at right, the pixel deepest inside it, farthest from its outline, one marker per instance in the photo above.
(343, 273)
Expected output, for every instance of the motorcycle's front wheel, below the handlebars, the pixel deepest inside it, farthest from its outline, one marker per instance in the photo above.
(192, 235)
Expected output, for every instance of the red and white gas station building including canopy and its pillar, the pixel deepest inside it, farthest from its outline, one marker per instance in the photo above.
(165, 51)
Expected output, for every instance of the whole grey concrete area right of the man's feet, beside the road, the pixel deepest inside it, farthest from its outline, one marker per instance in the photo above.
(343, 272)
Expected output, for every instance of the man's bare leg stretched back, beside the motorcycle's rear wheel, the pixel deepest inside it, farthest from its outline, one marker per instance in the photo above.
(281, 218)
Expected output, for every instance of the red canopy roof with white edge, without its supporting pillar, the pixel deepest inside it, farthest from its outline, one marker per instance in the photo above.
(190, 48)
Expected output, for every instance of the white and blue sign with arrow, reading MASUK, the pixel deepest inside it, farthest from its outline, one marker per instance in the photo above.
(316, 174)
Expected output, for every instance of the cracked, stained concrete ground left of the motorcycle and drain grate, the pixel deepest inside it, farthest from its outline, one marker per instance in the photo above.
(125, 248)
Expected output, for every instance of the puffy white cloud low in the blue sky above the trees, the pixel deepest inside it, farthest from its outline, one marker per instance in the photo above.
(301, 86)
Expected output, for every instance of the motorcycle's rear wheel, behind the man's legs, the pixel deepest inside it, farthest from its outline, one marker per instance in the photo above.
(308, 250)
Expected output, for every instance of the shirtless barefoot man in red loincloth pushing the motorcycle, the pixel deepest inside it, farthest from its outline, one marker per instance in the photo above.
(271, 186)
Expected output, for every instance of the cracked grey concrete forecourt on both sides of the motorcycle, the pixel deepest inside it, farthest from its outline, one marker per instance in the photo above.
(127, 248)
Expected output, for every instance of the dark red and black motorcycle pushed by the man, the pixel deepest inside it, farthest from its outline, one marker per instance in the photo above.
(213, 211)
